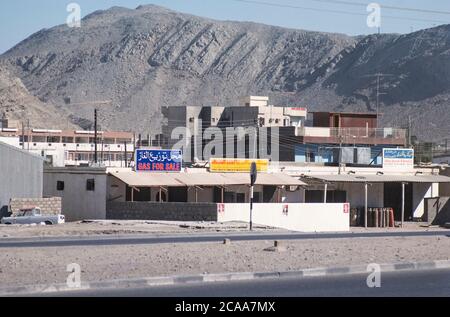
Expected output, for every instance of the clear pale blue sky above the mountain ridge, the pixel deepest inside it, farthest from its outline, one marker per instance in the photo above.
(21, 18)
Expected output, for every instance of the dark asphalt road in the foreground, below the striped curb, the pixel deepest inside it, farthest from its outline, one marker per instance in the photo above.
(397, 284)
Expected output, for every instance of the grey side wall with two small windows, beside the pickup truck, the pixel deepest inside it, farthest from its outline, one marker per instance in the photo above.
(77, 202)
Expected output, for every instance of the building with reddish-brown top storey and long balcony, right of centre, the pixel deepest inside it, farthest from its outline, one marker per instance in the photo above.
(350, 138)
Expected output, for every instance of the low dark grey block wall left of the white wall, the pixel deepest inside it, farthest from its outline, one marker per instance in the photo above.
(161, 211)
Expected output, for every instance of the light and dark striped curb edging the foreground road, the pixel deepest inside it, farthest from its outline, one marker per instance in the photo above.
(221, 277)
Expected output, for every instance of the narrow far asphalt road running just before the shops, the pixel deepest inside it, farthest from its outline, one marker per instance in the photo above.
(192, 238)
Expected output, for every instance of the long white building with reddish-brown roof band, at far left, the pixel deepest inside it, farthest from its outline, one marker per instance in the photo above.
(73, 148)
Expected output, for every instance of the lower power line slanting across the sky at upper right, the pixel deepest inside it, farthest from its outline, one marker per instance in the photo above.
(279, 5)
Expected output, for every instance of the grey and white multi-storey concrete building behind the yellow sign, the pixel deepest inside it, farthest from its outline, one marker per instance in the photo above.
(253, 112)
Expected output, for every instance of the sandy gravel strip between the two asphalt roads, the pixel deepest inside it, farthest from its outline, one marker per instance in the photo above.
(48, 265)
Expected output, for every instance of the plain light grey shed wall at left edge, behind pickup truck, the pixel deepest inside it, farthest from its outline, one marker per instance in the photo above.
(21, 175)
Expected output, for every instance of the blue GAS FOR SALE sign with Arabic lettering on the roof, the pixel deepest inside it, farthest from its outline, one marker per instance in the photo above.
(159, 160)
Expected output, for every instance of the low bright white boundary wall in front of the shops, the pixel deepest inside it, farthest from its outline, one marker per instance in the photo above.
(299, 217)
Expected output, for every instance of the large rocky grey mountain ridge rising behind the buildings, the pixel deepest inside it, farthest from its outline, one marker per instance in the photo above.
(150, 57)
